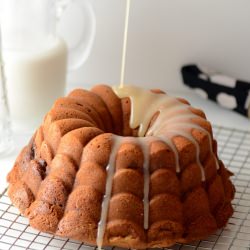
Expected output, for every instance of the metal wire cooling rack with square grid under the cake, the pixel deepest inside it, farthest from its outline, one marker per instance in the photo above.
(234, 150)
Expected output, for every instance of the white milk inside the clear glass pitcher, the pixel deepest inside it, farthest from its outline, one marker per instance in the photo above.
(34, 80)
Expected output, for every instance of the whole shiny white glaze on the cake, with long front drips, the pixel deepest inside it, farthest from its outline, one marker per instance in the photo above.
(165, 128)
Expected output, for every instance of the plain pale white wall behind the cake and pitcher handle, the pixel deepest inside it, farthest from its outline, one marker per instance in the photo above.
(164, 35)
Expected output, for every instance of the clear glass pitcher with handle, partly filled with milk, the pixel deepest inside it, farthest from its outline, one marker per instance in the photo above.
(35, 56)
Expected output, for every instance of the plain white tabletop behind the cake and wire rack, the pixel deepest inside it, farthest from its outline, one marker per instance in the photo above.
(215, 114)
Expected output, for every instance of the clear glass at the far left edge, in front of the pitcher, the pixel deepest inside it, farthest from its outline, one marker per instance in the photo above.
(5, 124)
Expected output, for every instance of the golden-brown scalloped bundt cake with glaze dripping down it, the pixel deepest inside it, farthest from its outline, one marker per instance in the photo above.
(123, 166)
